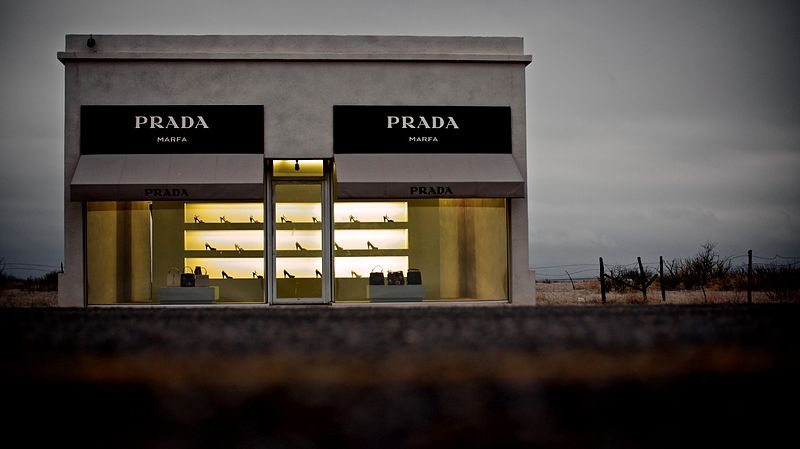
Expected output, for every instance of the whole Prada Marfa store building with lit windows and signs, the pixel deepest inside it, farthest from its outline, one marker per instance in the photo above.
(294, 170)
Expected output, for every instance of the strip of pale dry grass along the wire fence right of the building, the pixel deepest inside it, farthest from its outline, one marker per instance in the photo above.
(588, 292)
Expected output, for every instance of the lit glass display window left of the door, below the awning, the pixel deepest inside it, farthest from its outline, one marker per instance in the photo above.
(135, 248)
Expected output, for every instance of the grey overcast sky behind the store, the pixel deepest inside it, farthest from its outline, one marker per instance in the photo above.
(654, 126)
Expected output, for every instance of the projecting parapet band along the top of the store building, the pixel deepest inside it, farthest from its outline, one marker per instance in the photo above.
(294, 47)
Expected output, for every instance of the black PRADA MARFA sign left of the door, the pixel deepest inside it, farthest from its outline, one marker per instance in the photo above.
(172, 129)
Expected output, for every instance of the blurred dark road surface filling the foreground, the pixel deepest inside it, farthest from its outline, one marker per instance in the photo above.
(401, 377)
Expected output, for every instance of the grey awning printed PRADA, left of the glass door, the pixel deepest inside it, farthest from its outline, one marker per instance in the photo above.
(168, 177)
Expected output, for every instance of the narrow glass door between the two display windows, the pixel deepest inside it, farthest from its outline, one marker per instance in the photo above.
(301, 252)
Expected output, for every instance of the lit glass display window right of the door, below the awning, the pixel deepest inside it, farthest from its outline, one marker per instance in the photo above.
(459, 247)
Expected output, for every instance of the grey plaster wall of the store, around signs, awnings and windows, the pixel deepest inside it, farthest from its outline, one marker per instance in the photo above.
(298, 79)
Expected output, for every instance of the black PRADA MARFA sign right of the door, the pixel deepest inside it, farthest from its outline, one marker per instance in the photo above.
(421, 129)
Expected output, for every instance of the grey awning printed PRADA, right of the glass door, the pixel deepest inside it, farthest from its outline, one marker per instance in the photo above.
(428, 175)
